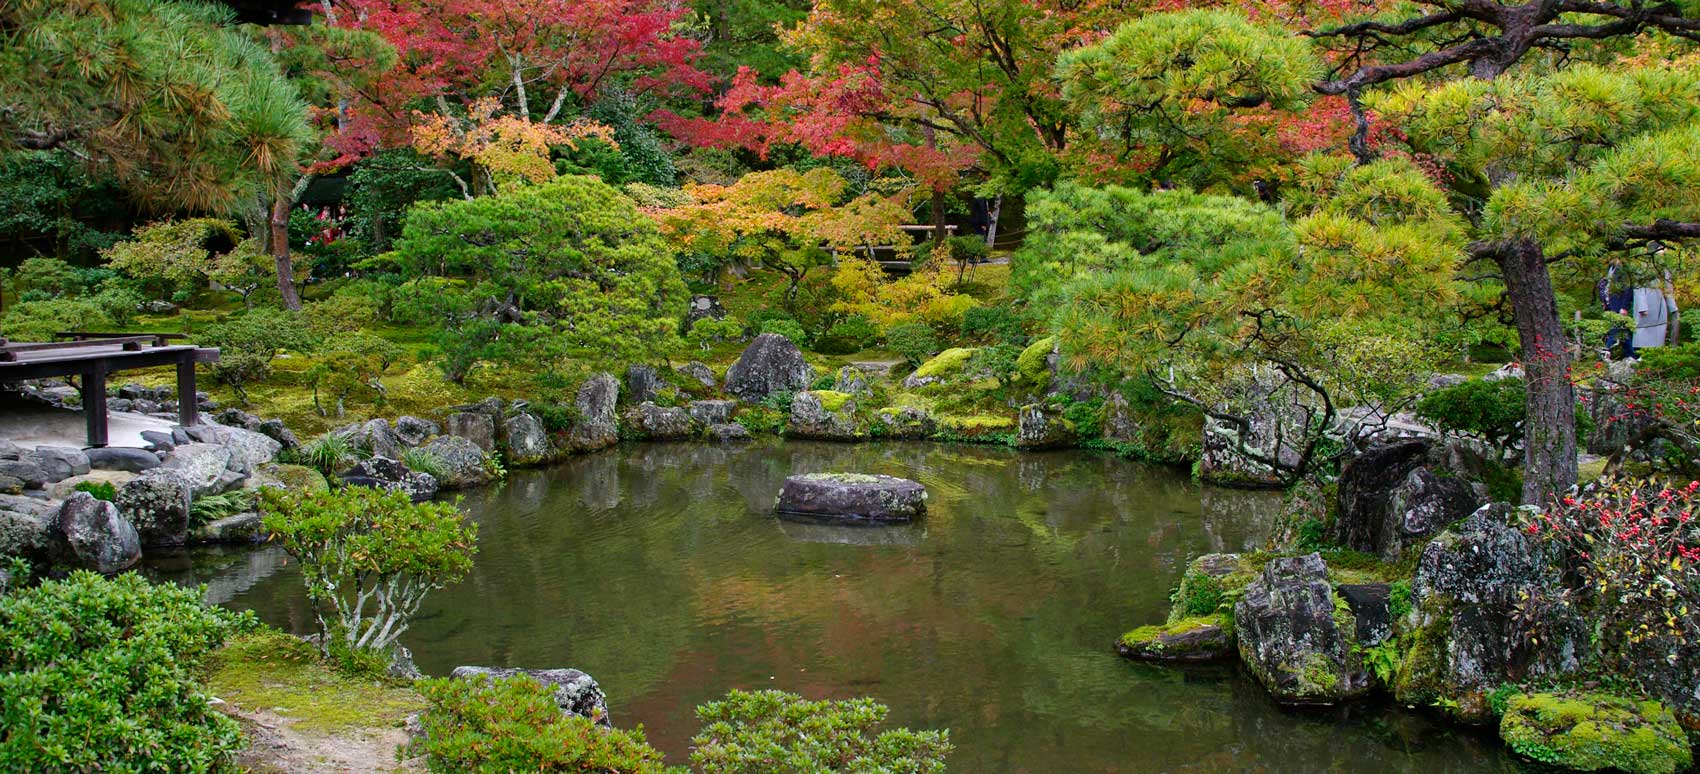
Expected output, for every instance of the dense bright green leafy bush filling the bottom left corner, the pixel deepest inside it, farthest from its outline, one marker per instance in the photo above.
(103, 674)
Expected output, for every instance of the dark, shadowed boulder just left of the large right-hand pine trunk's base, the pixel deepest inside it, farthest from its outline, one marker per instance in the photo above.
(1391, 498)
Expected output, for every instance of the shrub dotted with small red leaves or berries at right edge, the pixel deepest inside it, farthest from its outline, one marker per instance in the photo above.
(1635, 555)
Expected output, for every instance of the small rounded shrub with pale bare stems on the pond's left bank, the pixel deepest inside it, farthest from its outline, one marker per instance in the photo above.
(370, 557)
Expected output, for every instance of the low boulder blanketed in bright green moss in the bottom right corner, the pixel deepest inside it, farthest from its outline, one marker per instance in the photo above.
(1595, 732)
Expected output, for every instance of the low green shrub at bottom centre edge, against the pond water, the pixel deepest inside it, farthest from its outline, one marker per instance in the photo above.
(773, 732)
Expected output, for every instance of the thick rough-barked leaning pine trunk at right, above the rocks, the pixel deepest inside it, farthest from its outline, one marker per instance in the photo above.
(1550, 430)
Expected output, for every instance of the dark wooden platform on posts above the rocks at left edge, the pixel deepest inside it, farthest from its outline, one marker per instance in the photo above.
(94, 356)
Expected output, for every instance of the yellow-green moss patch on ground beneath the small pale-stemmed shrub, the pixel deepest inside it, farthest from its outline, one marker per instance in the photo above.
(285, 676)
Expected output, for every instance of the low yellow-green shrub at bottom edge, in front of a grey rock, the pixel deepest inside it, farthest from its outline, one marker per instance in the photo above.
(514, 726)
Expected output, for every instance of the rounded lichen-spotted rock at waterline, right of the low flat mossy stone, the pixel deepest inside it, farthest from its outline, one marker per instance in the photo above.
(1296, 637)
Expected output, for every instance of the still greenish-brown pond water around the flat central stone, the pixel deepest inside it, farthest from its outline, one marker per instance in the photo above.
(662, 571)
